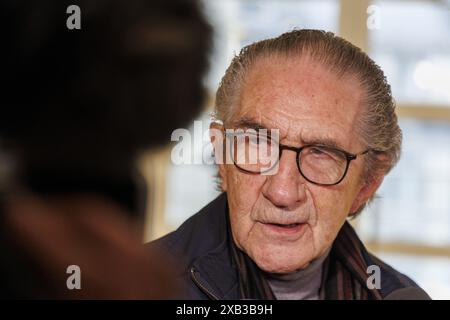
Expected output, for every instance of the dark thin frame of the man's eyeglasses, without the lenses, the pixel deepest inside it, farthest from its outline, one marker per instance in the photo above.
(348, 156)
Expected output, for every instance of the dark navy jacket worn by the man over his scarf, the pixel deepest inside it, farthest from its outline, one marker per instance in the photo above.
(206, 270)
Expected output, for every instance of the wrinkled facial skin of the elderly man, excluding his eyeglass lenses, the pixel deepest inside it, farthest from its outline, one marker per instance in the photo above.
(307, 103)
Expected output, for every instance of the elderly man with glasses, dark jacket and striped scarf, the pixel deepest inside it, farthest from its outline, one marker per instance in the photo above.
(279, 231)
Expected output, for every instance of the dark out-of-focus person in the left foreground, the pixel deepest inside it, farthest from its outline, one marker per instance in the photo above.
(78, 106)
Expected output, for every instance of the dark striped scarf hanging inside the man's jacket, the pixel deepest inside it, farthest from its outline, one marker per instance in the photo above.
(344, 278)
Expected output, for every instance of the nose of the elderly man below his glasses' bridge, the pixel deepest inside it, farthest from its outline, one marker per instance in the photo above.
(285, 188)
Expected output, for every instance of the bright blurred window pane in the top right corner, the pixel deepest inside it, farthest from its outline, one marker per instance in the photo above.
(412, 45)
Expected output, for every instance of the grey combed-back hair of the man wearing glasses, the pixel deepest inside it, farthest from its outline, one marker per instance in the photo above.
(377, 122)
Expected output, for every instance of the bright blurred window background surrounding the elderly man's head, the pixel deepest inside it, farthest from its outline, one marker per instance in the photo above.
(408, 225)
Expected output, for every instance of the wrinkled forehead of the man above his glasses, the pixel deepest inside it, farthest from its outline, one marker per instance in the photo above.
(302, 98)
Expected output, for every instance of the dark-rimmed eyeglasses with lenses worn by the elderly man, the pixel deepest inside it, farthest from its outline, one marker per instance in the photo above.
(318, 164)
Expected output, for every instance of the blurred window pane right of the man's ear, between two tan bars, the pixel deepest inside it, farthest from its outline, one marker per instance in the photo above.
(414, 200)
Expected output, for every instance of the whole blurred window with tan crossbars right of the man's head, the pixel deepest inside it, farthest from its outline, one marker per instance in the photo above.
(409, 224)
